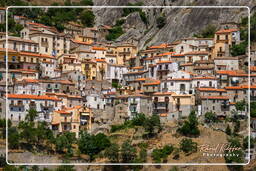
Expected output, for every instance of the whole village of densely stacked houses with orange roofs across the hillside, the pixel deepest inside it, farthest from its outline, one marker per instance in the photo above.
(75, 82)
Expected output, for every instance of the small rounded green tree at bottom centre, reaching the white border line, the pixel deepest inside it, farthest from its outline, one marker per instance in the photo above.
(128, 152)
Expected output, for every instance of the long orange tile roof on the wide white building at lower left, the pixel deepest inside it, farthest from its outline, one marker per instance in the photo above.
(29, 96)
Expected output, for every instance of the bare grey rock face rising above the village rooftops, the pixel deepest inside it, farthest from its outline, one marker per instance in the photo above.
(180, 22)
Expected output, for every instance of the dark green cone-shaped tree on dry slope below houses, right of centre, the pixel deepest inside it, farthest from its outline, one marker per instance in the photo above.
(190, 126)
